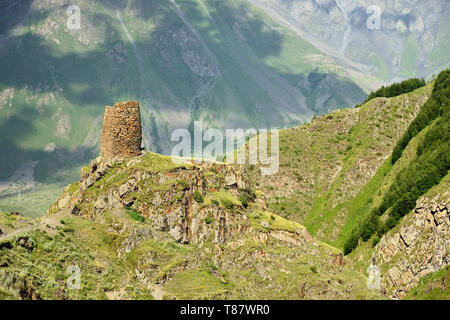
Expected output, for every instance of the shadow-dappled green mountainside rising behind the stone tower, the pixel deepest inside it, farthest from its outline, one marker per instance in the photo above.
(223, 62)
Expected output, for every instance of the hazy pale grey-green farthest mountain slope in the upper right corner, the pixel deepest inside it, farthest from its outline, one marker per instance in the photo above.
(411, 39)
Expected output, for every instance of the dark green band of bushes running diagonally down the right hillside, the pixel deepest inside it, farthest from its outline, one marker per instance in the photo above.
(430, 165)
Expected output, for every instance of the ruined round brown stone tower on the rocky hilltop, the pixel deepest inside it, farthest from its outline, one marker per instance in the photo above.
(122, 132)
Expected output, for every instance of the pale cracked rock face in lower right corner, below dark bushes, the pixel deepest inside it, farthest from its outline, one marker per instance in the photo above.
(419, 247)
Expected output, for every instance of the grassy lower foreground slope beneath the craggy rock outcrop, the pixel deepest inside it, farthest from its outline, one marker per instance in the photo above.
(125, 259)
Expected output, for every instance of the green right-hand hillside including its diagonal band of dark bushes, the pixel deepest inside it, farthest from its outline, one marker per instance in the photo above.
(337, 175)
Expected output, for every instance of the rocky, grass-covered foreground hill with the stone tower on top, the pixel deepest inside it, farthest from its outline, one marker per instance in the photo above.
(125, 253)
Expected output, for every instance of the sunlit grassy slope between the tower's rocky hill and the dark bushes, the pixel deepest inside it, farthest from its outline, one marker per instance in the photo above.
(332, 169)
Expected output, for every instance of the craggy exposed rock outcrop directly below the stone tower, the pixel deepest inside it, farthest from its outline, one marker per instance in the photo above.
(164, 198)
